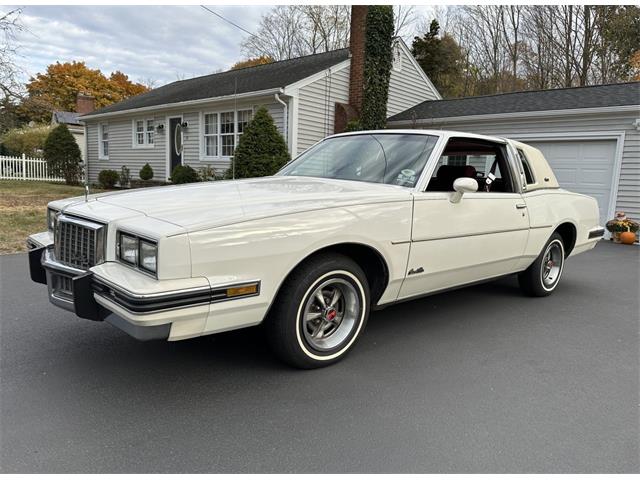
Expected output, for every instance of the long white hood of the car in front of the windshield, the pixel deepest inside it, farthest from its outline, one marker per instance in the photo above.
(197, 206)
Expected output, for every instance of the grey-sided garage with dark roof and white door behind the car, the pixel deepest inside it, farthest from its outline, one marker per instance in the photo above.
(590, 135)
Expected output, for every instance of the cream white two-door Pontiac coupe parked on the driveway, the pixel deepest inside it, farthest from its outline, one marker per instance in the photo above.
(359, 221)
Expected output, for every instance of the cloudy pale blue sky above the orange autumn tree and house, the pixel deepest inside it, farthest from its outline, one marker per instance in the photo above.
(161, 43)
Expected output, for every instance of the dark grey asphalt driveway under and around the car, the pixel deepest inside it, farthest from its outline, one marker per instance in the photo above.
(477, 380)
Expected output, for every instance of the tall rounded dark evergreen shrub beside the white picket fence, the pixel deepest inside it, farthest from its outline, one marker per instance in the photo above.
(63, 155)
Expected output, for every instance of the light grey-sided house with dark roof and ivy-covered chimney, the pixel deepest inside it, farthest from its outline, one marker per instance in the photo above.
(199, 121)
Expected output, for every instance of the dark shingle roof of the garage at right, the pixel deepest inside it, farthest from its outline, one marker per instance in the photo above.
(539, 100)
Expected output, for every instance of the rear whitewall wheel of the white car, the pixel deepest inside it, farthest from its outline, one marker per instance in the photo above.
(543, 275)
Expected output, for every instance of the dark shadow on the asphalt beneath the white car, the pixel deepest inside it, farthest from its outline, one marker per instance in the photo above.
(246, 349)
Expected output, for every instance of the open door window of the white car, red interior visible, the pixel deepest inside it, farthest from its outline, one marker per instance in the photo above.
(478, 159)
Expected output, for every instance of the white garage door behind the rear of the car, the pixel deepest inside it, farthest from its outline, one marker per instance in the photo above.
(583, 166)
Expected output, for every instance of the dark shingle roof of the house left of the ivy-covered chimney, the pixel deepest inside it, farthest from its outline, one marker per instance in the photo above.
(250, 79)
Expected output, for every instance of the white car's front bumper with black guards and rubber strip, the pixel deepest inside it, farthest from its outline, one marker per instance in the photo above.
(142, 306)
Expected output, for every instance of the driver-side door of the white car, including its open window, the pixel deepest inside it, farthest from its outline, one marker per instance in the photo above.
(482, 236)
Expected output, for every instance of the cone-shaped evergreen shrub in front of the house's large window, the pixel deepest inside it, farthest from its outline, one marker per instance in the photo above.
(261, 150)
